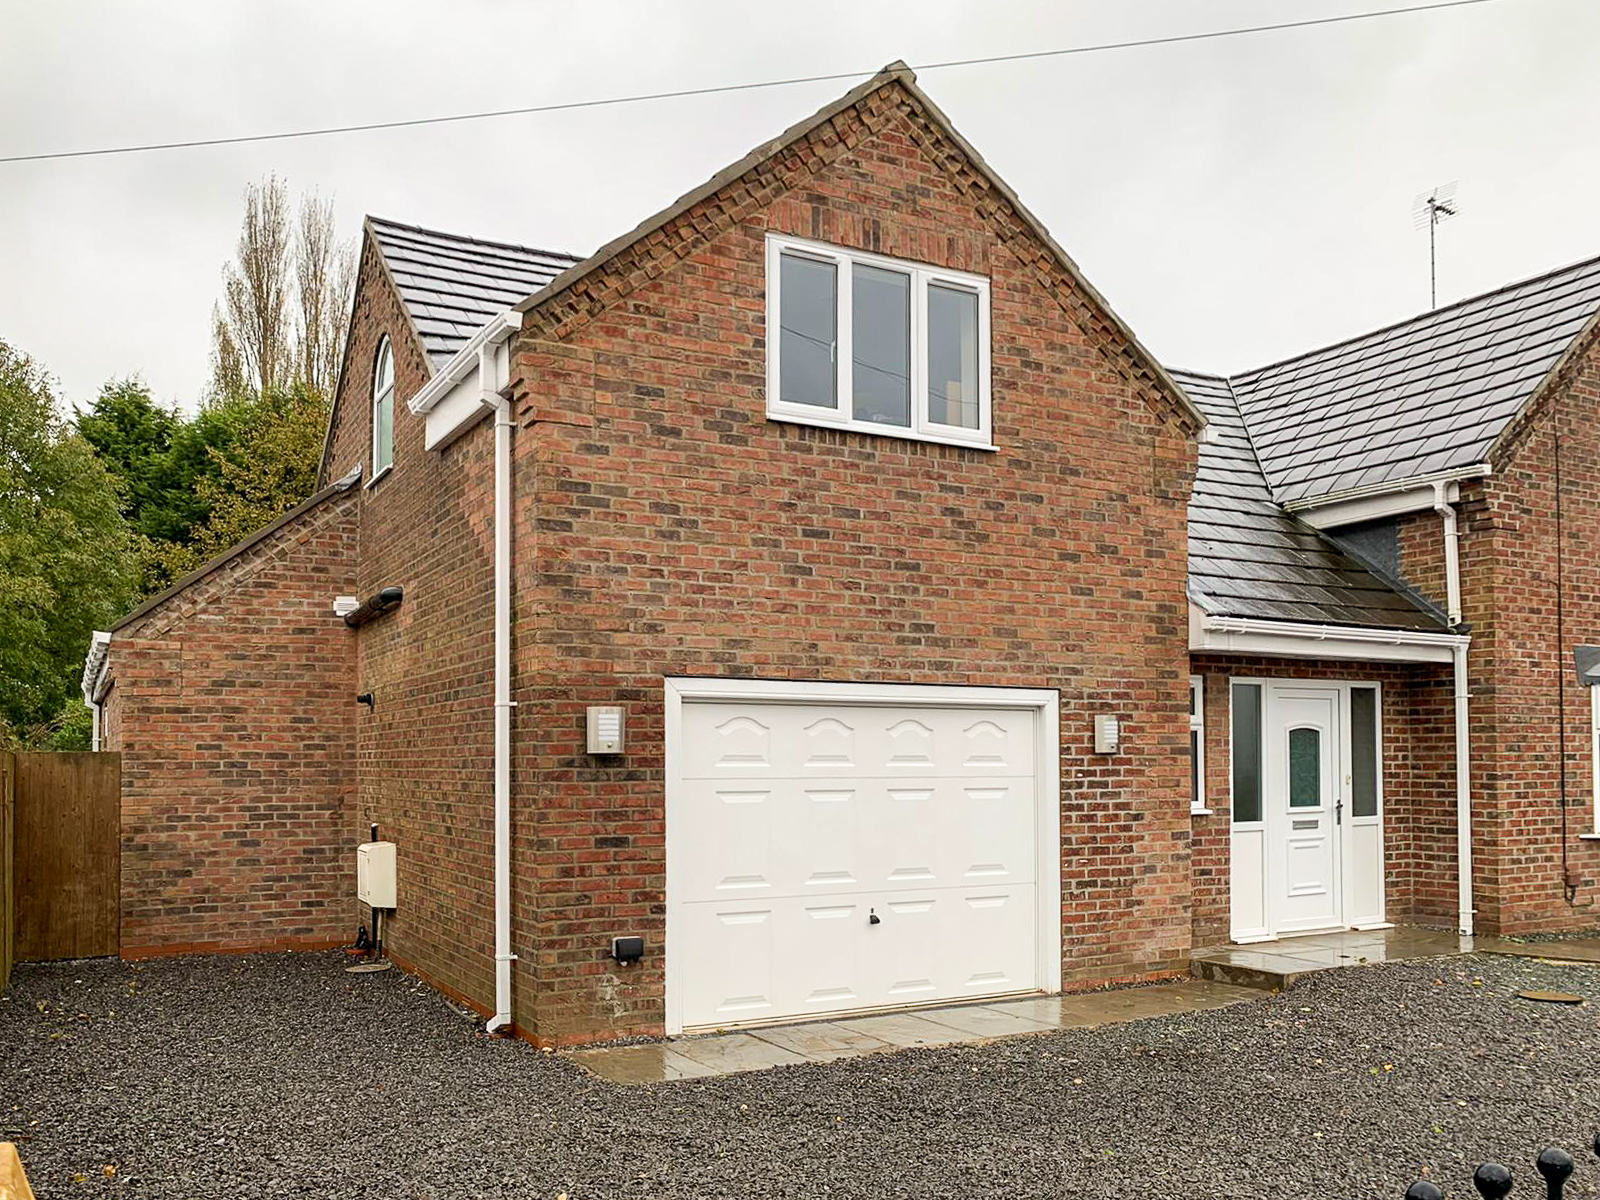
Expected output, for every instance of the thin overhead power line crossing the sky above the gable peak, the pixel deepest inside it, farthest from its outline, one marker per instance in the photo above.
(734, 87)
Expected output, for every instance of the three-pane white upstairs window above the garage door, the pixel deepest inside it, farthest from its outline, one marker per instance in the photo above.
(876, 345)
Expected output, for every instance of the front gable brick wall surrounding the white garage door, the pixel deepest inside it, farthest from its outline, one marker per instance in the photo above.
(668, 529)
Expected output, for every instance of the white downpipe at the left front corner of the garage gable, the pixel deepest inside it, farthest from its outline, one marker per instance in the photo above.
(503, 702)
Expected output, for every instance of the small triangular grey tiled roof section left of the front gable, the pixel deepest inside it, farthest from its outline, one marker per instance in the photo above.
(452, 286)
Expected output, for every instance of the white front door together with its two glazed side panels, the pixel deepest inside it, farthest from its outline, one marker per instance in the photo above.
(1308, 828)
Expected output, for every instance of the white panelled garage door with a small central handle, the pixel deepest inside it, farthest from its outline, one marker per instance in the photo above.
(831, 857)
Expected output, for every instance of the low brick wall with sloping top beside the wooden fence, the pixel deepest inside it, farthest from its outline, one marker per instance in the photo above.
(234, 713)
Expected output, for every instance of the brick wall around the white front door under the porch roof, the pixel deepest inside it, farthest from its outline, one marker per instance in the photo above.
(1418, 782)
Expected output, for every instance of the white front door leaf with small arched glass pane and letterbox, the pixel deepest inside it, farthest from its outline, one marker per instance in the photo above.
(1305, 804)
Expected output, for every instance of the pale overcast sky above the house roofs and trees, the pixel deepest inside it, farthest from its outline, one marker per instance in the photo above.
(1236, 201)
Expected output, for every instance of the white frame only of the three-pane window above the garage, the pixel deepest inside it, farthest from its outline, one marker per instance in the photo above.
(922, 278)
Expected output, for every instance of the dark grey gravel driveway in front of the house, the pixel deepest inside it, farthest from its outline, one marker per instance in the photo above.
(284, 1076)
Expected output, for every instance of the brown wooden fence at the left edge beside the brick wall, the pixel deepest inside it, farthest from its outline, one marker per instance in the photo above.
(62, 857)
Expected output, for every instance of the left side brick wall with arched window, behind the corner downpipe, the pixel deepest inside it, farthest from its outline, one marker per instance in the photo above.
(425, 753)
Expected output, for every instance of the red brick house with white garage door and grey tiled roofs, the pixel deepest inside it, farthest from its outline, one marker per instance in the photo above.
(846, 668)
